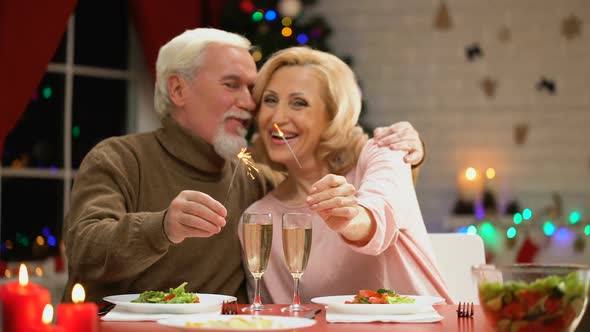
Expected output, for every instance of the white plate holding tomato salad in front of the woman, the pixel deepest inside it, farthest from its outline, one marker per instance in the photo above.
(336, 304)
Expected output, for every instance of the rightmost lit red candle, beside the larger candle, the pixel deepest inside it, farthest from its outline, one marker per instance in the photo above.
(78, 316)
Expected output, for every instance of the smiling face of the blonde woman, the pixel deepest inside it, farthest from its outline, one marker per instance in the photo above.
(293, 99)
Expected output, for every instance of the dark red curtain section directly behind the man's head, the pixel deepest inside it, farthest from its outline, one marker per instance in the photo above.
(159, 21)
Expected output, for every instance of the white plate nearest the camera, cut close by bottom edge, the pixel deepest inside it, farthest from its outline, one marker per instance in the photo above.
(277, 322)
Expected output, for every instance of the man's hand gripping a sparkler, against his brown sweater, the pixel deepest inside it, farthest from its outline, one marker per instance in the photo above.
(193, 214)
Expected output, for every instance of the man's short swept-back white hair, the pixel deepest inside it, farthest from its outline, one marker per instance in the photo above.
(182, 55)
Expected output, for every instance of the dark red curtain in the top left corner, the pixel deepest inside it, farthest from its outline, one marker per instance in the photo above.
(30, 32)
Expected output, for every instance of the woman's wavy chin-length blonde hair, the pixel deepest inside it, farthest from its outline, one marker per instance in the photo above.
(341, 143)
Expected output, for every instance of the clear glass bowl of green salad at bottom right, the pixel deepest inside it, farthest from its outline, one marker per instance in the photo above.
(533, 297)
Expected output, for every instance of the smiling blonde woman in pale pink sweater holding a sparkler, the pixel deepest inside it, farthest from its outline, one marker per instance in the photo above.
(368, 231)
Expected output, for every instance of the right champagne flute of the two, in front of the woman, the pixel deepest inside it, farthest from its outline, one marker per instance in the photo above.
(296, 248)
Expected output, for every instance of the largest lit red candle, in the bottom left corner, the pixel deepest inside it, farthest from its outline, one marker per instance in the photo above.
(22, 303)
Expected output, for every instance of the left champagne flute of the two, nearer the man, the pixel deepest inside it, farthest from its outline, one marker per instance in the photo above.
(257, 237)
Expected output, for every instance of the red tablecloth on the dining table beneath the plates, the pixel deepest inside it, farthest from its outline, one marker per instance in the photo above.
(450, 323)
